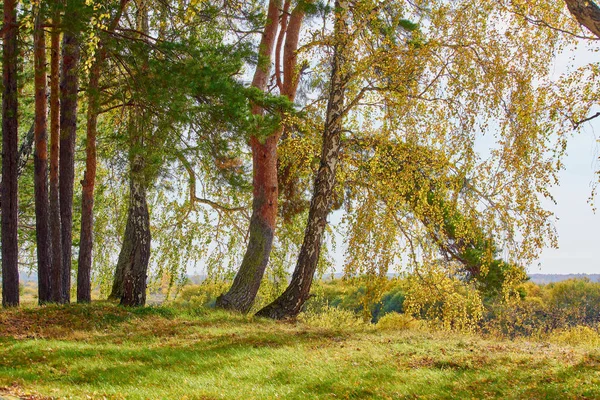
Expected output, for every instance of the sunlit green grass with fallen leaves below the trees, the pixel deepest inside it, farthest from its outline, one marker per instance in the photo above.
(105, 351)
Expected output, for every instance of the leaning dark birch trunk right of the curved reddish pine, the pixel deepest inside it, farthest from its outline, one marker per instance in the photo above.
(291, 301)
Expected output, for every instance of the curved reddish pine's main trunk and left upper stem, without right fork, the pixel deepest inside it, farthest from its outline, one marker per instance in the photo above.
(245, 286)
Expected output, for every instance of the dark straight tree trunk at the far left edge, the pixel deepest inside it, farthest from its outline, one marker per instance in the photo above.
(10, 250)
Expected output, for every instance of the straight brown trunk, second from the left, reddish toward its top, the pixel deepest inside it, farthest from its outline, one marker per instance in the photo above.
(41, 163)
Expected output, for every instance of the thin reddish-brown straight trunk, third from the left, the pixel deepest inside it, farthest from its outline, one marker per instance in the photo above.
(55, 225)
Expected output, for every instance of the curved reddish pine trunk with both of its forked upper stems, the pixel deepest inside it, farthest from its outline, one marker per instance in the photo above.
(247, 281)
